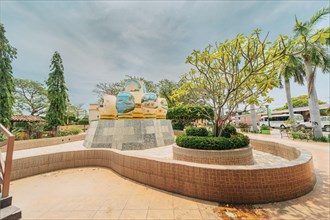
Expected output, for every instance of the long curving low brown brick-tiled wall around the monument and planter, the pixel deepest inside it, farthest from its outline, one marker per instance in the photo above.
(225, 184)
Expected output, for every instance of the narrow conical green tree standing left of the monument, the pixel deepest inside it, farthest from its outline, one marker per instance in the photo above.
(57, 93)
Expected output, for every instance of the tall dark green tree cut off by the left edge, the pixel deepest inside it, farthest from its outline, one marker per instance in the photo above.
(7, 88)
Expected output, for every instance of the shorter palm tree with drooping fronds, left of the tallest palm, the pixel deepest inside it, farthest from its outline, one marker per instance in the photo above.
(294, 68)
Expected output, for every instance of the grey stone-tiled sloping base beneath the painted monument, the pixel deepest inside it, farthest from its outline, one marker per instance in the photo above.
(129, 134)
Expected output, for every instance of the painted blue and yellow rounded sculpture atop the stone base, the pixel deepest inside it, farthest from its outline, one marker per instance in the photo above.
(134, 102)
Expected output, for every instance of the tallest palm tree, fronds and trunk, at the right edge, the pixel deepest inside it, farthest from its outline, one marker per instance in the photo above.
(312, 46)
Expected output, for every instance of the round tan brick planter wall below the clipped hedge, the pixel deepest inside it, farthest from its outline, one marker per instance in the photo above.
(241, 156)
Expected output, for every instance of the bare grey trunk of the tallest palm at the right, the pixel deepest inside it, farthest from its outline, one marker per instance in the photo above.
(312, 99)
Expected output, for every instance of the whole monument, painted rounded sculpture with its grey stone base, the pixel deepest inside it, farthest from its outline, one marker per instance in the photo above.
(132, 120)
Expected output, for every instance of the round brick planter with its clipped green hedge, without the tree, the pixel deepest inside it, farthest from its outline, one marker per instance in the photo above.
(197, 146)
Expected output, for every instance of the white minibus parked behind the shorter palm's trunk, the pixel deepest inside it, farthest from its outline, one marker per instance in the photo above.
(277, 121)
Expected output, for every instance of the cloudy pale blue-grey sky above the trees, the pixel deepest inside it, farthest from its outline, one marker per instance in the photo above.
(102, 41)
